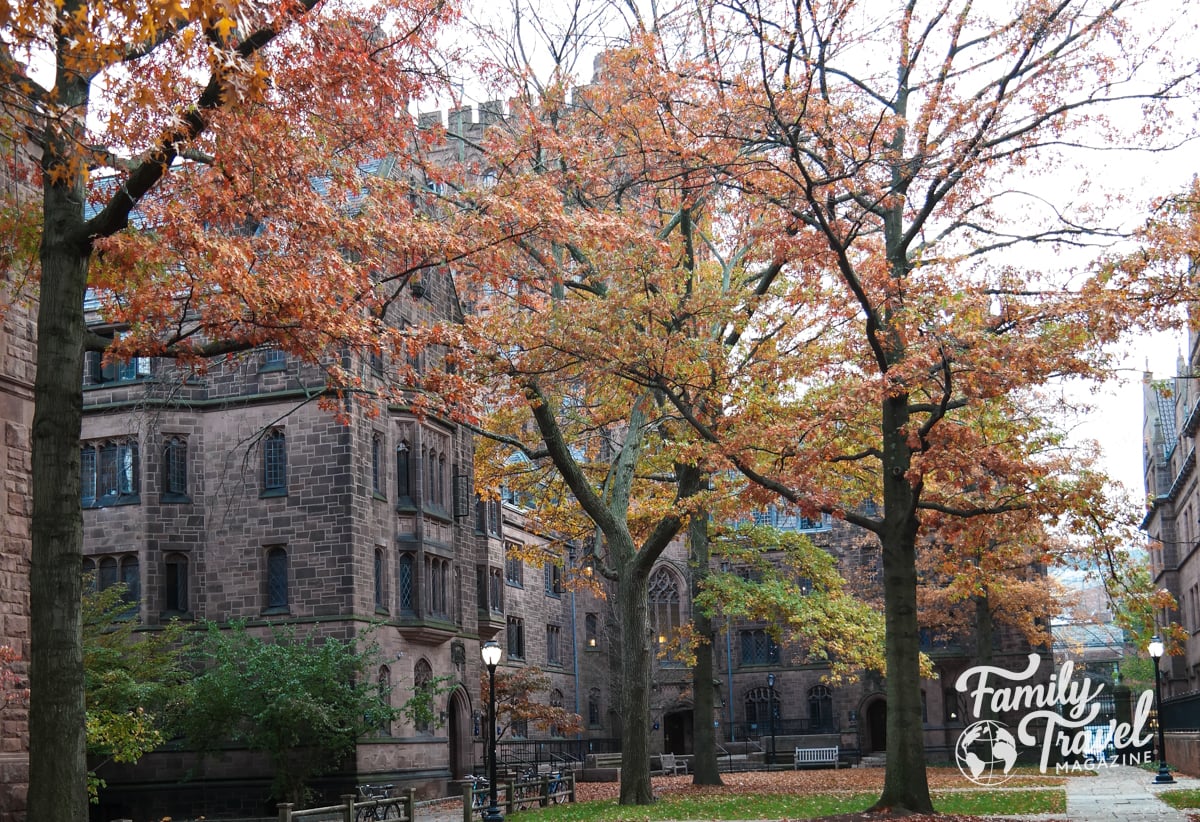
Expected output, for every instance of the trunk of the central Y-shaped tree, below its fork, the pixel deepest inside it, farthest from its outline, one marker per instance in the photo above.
(633, 590)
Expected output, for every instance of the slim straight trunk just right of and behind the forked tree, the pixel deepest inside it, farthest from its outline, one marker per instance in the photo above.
(705, 767)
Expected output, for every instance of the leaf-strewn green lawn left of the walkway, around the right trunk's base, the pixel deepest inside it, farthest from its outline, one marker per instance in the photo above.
(775, 807)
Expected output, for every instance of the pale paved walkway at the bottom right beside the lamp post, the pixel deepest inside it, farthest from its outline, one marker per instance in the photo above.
(1124, 794)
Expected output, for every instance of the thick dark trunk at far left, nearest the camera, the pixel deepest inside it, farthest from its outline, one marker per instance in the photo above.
(57, 734)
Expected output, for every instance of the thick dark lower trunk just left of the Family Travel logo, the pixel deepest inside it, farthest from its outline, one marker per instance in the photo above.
(905, 783)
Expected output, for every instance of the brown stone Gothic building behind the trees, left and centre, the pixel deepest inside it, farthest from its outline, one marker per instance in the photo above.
(230, 495)
